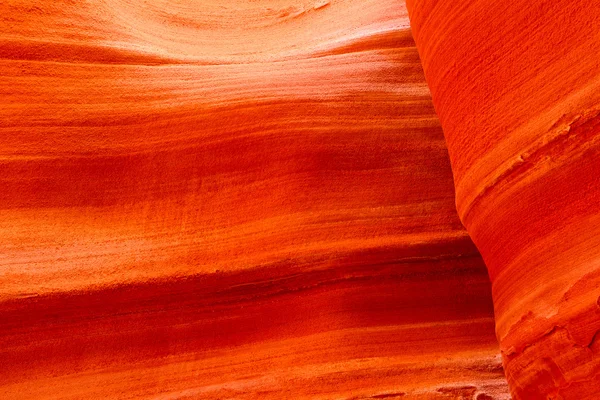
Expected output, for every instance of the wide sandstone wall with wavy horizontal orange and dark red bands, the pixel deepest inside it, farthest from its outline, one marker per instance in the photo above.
(230, 200)
